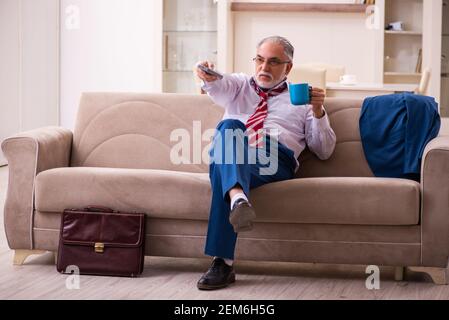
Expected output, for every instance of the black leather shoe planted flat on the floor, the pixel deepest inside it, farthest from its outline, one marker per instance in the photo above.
(218, 276)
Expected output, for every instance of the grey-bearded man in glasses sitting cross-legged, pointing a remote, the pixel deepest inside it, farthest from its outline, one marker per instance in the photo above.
(256, 106)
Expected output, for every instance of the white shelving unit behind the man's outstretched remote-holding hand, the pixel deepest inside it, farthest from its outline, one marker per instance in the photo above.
(189, 35)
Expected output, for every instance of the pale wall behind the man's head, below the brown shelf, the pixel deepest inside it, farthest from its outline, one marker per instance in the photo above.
(336, 38)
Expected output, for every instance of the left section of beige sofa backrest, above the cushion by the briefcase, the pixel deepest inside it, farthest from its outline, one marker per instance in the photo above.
(132, 130)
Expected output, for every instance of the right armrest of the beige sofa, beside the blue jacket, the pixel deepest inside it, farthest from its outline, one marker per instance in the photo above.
(435, 203)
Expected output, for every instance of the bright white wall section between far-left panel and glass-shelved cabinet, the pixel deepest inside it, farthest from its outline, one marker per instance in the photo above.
(117, 47)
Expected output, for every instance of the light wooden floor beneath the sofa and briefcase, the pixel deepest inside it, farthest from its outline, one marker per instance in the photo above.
(167, 278)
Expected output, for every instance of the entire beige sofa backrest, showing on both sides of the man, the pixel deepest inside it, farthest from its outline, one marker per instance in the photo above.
(132, 130)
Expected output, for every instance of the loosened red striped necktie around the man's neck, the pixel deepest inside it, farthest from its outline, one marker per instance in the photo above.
(254, 125)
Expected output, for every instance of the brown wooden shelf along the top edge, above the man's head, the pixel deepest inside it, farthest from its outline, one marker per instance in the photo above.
(298, 7)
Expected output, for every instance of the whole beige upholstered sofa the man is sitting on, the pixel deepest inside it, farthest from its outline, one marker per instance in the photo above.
(119, 156)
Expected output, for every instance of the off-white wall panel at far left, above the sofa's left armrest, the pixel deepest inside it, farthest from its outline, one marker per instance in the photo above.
(29, 65)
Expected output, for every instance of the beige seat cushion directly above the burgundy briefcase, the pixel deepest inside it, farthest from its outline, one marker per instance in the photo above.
(160, 193)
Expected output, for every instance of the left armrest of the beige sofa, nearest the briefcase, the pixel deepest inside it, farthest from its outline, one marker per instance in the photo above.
(29, 153)
